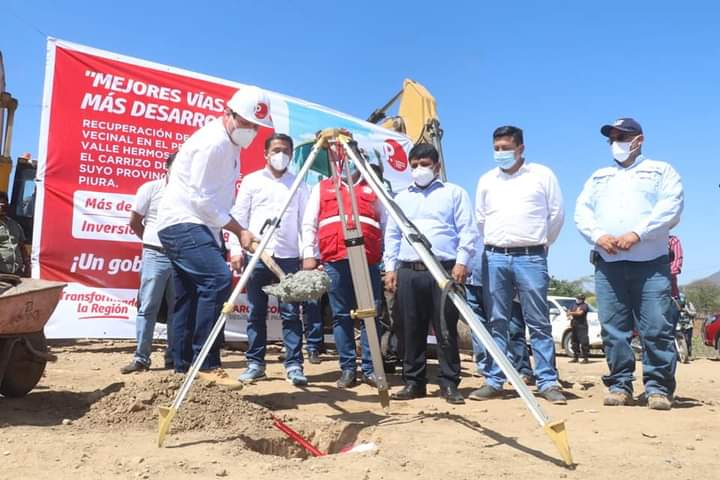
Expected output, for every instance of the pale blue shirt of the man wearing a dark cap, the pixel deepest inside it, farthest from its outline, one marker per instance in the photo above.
(645, 198)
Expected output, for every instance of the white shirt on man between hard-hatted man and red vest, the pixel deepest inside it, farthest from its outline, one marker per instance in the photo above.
(261, 196)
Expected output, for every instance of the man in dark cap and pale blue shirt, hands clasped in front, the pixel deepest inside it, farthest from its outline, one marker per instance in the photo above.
(626, 211)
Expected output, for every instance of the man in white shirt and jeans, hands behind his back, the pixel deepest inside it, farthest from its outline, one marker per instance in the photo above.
(520, 213)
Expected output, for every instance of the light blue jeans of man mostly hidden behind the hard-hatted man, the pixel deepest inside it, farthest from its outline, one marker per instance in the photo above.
(156, 282)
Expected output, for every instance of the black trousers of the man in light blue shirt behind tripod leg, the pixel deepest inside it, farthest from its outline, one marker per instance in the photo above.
(418, 307)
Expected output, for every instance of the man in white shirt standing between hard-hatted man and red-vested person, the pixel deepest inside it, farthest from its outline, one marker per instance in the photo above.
(261, 196)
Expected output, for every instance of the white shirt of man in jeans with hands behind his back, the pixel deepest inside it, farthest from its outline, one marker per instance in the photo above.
(520, 210)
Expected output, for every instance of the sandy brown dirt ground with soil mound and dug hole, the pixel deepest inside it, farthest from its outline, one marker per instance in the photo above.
(87, 421)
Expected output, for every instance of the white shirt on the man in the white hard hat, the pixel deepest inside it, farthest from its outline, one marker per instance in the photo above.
(202, 180)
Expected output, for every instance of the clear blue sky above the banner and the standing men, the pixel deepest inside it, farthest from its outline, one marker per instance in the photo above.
(557, 69)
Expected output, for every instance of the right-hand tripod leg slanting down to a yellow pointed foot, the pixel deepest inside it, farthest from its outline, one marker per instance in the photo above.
(554, 429)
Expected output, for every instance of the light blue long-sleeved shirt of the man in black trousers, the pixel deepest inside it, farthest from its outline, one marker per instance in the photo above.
(443, 213)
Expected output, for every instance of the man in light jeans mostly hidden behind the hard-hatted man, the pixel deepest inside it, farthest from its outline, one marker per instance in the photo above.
(156, 277)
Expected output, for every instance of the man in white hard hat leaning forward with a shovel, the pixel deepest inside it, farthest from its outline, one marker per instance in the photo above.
(194, 210)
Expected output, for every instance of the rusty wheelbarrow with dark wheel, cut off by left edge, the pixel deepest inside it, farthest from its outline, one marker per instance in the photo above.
(25, 307)
